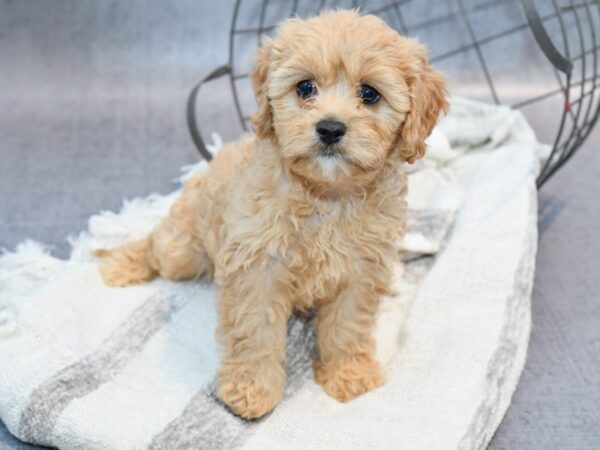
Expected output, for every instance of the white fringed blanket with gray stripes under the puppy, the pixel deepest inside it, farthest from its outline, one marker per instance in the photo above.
(85, 366)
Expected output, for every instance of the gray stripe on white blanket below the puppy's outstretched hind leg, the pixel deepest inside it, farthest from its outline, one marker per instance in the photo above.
(49, 400)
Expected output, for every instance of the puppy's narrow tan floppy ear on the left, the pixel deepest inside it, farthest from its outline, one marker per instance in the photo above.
(262, 119)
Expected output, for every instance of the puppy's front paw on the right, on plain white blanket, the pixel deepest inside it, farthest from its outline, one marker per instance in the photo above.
(350, 378)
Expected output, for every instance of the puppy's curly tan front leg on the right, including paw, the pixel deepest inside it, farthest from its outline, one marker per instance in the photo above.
(346, 365)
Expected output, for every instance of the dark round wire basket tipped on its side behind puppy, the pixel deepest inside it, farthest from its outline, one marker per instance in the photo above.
(480, 45)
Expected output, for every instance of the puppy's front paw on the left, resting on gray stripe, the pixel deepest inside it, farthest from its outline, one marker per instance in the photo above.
(248, 393)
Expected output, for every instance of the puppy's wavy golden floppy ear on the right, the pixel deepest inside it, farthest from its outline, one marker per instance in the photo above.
(428, 99)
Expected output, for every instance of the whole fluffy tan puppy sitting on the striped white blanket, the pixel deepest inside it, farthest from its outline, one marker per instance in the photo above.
(306, 212)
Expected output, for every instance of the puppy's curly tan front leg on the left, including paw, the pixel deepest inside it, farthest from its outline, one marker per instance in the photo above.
(254, 307)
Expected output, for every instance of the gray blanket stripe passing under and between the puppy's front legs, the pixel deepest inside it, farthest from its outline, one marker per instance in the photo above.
(206, 424)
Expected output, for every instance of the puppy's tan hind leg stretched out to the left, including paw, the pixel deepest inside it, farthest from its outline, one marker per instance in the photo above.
(173, 250)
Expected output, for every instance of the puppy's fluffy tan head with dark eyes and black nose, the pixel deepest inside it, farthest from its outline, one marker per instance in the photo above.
(341, 93)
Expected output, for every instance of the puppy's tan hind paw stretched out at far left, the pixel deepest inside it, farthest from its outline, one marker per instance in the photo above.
(127, 264)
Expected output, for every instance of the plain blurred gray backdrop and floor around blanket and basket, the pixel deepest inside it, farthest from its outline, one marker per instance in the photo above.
(91, 111)
